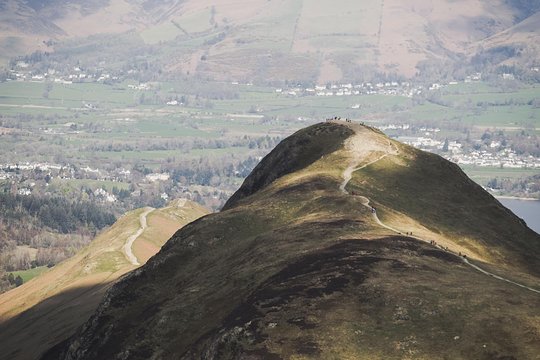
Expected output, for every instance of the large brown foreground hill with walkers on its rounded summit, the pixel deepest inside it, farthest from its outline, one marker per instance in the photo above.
(296, 268)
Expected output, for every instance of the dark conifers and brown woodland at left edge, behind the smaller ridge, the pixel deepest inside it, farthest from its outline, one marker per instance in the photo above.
(42, 231)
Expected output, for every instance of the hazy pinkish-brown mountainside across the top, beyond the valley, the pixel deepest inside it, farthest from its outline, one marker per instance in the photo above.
(279, 39)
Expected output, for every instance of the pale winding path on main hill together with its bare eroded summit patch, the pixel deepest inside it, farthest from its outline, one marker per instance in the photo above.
(352, 145)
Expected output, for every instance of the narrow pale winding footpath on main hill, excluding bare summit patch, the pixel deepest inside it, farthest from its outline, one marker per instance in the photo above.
(347, 176)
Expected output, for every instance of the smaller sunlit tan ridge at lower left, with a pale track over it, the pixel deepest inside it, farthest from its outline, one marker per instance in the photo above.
(48, 309)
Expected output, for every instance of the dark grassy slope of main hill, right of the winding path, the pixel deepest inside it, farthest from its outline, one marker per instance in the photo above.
(438, 195)
